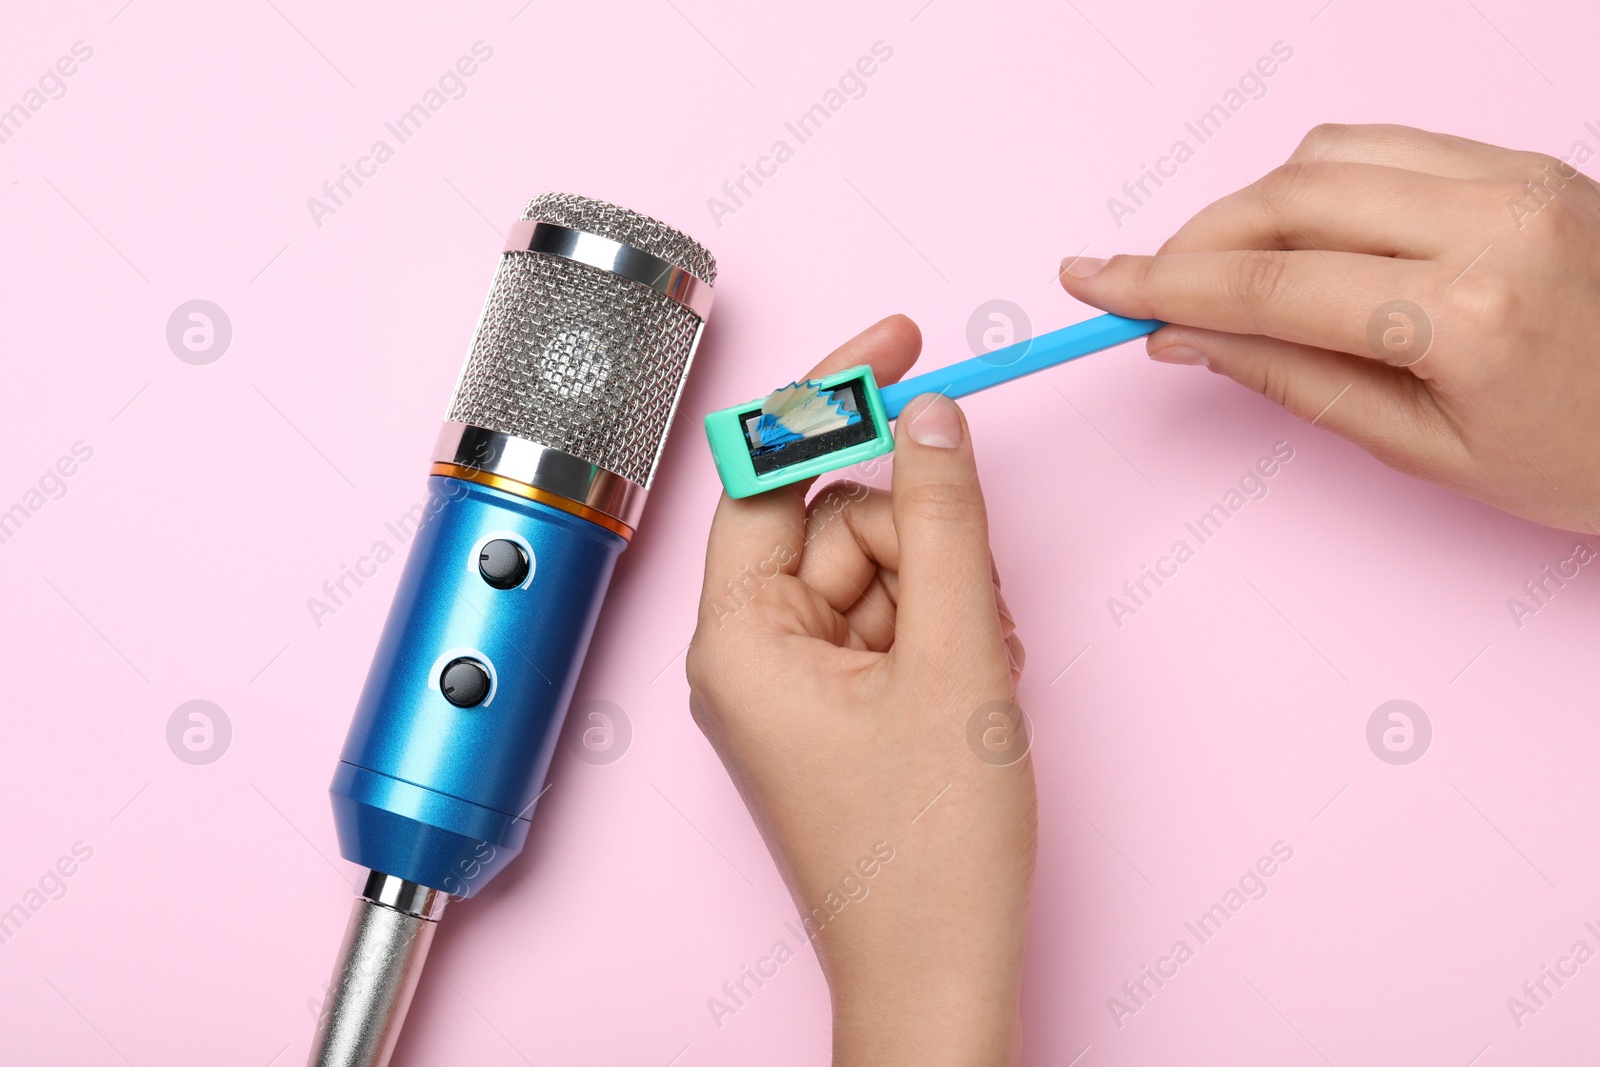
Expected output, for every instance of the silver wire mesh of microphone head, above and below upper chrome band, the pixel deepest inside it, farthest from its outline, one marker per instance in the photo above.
(578, 359)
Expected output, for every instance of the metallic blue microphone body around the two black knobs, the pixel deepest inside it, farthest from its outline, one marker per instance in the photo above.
(438, 794)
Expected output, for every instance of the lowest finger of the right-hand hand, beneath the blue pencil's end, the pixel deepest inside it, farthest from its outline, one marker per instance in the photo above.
(1383, 409)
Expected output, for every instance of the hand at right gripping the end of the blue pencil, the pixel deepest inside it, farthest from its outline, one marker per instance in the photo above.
(1431, 298)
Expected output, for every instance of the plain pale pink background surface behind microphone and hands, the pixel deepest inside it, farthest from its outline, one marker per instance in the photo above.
(1226, 716)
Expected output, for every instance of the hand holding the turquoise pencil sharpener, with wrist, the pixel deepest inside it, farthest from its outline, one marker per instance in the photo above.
(855, 669)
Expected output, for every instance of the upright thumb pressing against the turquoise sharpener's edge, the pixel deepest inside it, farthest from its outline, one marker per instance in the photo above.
(946, 601)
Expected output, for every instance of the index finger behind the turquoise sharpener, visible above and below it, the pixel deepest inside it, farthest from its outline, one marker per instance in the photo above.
(772, 526)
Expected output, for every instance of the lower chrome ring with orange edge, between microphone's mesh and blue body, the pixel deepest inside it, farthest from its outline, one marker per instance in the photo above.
(540, 474)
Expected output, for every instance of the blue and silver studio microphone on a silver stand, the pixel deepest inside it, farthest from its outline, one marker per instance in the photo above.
(537, 486)
